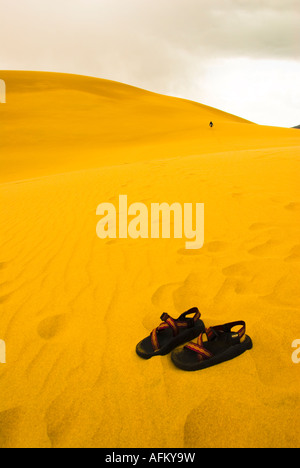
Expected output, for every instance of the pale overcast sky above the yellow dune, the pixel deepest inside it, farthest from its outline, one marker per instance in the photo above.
(241, 56)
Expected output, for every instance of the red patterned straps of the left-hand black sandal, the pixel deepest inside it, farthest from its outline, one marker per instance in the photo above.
(175, 324)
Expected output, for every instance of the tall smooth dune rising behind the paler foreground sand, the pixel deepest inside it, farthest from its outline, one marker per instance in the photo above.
(83, 122)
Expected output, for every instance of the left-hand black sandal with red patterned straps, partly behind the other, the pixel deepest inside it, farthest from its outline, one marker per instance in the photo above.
(170, 334)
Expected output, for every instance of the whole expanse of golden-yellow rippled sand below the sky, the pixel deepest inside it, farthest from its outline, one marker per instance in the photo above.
(73, 306)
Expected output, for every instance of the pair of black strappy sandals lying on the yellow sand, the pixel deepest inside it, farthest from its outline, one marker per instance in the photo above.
(221, 344)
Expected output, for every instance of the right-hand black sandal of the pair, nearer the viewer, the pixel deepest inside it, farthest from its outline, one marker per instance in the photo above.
(223, 344)
